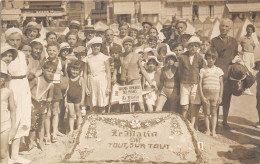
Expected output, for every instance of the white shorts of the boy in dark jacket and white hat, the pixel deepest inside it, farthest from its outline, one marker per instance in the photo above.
(189, 94)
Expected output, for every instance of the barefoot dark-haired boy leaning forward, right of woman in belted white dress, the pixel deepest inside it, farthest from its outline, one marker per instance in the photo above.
(42, 94)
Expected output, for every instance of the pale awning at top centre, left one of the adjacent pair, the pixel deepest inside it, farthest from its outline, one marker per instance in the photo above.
(124, 8)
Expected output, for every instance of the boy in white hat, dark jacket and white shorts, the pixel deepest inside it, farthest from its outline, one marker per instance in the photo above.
(190, 64)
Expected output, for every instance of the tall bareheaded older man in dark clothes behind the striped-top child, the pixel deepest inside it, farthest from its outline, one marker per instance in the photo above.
(227, 49)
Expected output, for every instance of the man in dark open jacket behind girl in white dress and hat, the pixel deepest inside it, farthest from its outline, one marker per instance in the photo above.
(109, 43)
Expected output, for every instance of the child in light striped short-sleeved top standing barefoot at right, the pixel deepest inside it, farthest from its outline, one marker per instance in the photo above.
(211, 90)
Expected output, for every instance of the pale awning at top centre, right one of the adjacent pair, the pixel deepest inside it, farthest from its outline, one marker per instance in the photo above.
(151, 7)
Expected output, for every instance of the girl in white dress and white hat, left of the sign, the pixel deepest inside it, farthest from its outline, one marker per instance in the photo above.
(98, 76)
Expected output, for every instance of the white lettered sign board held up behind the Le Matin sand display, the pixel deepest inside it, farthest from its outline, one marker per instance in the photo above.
(129, 93)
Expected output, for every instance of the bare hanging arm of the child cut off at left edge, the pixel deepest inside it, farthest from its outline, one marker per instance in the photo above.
(12, 109)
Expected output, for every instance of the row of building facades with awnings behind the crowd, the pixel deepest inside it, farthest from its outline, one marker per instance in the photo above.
(59, 12)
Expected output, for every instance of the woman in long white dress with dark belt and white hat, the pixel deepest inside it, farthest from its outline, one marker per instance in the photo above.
(22, 94)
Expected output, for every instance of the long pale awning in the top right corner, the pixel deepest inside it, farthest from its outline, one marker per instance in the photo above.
(243, 7)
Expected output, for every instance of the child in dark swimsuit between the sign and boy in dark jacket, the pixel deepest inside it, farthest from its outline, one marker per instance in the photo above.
(169, 85)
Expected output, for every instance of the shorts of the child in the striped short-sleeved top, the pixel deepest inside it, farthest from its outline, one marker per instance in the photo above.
(212, 95)
